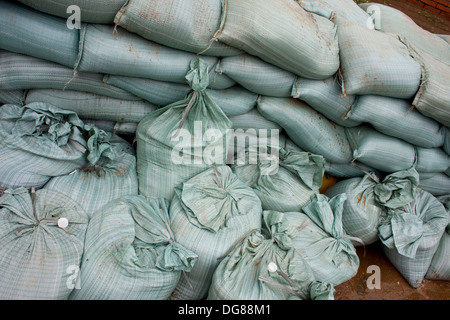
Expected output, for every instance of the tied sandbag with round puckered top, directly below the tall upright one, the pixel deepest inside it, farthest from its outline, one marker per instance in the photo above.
(208, 213)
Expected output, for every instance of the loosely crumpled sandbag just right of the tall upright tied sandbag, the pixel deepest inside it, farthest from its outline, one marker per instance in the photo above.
(284, 180)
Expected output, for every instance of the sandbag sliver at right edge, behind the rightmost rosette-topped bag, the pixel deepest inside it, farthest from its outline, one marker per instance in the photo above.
(440, 264)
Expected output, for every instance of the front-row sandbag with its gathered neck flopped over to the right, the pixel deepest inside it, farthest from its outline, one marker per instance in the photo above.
(130, 252)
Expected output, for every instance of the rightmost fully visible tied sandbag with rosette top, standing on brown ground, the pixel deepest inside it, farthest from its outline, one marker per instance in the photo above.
(411, 235)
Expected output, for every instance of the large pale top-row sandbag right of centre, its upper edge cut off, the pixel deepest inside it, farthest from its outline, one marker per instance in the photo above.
(265, 30)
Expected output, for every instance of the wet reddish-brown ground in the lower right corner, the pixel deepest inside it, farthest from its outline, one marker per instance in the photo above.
(392, 285)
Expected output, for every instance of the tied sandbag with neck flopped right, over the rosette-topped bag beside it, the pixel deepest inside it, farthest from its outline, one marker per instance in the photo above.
(367, 199)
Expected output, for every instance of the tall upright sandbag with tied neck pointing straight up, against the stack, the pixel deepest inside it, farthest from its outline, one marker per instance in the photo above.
(195, 126)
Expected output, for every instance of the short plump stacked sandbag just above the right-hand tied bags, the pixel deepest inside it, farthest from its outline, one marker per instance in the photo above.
(385, 153)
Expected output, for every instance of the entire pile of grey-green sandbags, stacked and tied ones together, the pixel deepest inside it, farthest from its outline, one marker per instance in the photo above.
(219, 149)
